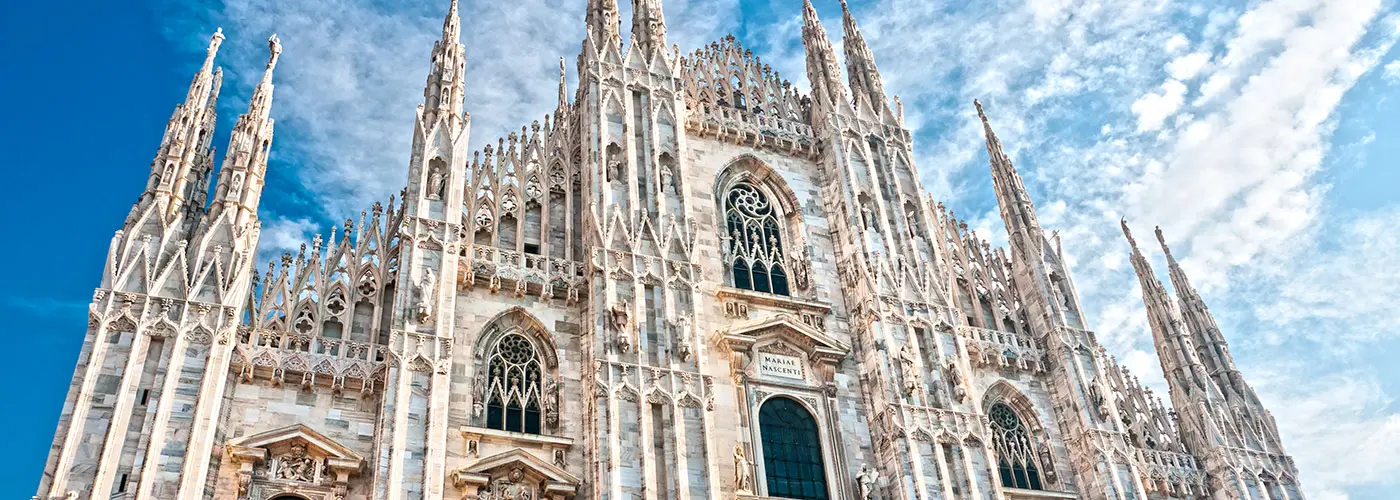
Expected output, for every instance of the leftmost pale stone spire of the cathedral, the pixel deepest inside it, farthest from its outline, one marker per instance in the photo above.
(187, 137)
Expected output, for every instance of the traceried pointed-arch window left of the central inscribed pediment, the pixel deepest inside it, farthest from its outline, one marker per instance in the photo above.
(514, 387)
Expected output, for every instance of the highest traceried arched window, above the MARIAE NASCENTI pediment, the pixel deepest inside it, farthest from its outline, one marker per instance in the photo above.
(755, 242)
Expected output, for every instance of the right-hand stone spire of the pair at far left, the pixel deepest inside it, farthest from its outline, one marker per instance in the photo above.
(246, 159)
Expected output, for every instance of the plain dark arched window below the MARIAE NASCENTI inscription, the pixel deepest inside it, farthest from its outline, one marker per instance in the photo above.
(792, 452)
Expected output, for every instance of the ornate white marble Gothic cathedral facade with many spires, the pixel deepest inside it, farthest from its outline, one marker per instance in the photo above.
(689, 281)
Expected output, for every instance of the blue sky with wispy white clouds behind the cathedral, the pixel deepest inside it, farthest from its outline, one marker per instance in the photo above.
(1259, 135)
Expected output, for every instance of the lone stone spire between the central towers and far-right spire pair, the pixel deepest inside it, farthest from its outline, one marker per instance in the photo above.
(1017, 209)
